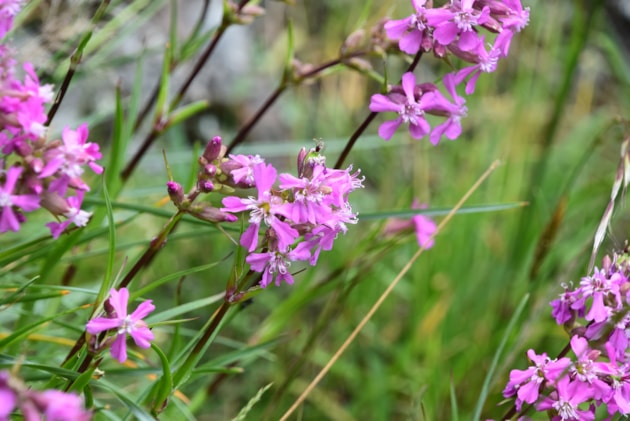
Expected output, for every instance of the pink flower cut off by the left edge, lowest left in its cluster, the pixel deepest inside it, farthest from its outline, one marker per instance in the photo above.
(9, 220)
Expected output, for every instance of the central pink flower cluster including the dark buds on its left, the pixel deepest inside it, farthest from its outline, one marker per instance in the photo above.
(299, 217)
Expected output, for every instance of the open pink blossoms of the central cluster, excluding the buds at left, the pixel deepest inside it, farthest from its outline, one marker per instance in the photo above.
(302, 216)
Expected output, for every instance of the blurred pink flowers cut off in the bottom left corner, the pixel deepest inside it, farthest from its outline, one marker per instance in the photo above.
(52, 405)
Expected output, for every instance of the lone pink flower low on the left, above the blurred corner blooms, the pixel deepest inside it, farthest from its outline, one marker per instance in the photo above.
(124, 324)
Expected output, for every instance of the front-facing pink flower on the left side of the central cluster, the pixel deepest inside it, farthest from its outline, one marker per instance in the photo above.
(263, 209)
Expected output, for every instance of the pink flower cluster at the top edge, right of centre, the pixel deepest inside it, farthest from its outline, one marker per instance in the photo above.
(453, 28)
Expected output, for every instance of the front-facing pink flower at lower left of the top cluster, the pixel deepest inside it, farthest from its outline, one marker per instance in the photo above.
(408, 108)
